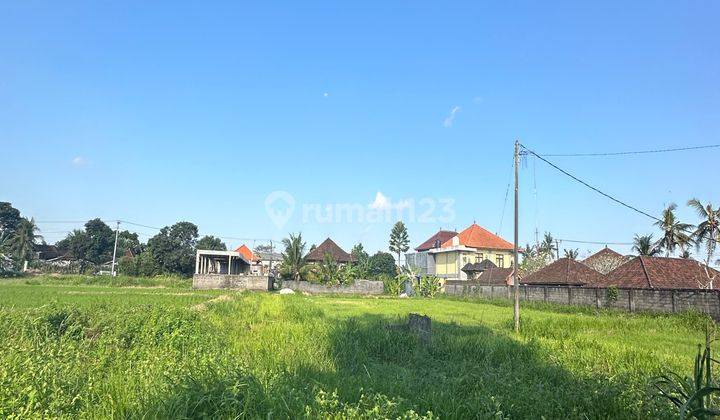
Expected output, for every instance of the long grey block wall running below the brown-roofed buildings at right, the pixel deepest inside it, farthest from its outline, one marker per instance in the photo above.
(654, 300)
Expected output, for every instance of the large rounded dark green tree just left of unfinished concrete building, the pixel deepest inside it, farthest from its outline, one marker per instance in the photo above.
(173, 249)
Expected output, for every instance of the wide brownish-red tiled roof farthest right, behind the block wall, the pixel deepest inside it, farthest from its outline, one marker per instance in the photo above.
(662, 273)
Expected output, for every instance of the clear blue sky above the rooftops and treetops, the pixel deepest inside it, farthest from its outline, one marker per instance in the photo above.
(157, 112)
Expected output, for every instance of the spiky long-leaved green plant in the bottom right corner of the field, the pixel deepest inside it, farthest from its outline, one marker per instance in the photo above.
(695, 396)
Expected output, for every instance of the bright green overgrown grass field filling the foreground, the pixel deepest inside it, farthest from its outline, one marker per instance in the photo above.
(95, 348)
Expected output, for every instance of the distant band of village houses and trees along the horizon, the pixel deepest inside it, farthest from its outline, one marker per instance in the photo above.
(474, 256)
